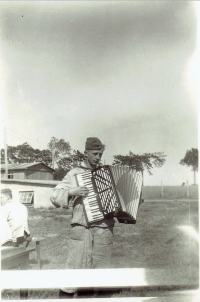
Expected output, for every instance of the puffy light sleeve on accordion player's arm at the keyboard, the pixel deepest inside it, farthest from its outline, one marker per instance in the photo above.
(60, 194)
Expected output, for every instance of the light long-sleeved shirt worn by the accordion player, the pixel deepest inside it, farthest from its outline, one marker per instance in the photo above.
(60, 198)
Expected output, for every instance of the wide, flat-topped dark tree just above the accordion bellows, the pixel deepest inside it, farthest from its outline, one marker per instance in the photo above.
(141, 162)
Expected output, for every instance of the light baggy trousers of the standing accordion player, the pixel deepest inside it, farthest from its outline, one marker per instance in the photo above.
(89, 248)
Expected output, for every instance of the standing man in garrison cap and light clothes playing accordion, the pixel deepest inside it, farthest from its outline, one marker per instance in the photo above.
(90, 245)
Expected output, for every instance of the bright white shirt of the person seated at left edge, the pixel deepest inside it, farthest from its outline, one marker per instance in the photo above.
(17, 217)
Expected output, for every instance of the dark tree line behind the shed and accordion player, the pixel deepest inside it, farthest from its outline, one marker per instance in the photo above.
(60, 156)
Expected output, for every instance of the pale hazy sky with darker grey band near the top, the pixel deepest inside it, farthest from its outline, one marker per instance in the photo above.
(124, 72)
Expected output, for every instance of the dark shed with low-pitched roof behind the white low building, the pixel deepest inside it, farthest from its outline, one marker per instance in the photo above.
(37, 170)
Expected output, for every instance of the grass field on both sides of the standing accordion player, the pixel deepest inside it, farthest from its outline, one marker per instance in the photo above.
(159, 239)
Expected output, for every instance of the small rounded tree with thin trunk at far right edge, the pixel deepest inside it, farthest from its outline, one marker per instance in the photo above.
(191, 159)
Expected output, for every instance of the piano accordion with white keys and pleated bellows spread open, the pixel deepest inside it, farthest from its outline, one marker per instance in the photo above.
(114, 191)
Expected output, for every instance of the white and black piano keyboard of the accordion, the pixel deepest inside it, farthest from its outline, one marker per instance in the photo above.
(90, 202)
